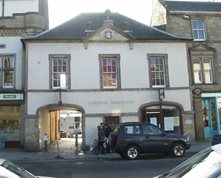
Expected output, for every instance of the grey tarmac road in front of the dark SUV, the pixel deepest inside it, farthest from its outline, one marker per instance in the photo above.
(146, 167)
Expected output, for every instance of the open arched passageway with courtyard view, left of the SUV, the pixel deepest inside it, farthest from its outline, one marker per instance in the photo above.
(61, 122)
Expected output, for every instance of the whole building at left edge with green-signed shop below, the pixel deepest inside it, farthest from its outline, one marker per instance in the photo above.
(18, 19)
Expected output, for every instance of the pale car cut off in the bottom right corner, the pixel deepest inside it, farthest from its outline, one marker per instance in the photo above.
(205, 164)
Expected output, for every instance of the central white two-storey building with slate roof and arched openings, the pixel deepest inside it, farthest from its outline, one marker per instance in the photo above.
(110, 69)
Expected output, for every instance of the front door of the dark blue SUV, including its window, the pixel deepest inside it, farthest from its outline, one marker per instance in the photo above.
(153, 138)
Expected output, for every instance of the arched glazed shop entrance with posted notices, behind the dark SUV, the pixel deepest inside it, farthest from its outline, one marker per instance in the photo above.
(165, 115)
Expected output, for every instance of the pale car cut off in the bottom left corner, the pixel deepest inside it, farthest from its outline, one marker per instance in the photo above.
(11, 170)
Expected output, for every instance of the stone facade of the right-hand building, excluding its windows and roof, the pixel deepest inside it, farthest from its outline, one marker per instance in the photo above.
(179, 23)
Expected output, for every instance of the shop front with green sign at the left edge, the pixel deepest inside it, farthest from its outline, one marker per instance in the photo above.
(10, 119)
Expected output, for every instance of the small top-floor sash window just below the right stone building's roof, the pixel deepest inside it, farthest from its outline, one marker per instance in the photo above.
(198, 30)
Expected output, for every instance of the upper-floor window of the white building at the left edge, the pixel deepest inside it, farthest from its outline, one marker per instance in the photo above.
(7, 71)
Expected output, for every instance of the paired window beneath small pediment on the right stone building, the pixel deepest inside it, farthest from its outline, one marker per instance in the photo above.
(202, 70)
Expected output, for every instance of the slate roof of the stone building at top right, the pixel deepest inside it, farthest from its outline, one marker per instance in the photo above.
(193, 6)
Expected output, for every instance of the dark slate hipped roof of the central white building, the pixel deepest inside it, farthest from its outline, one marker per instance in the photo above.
(74, 29)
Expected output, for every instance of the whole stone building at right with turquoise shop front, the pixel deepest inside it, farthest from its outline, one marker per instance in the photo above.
(202, 22)
